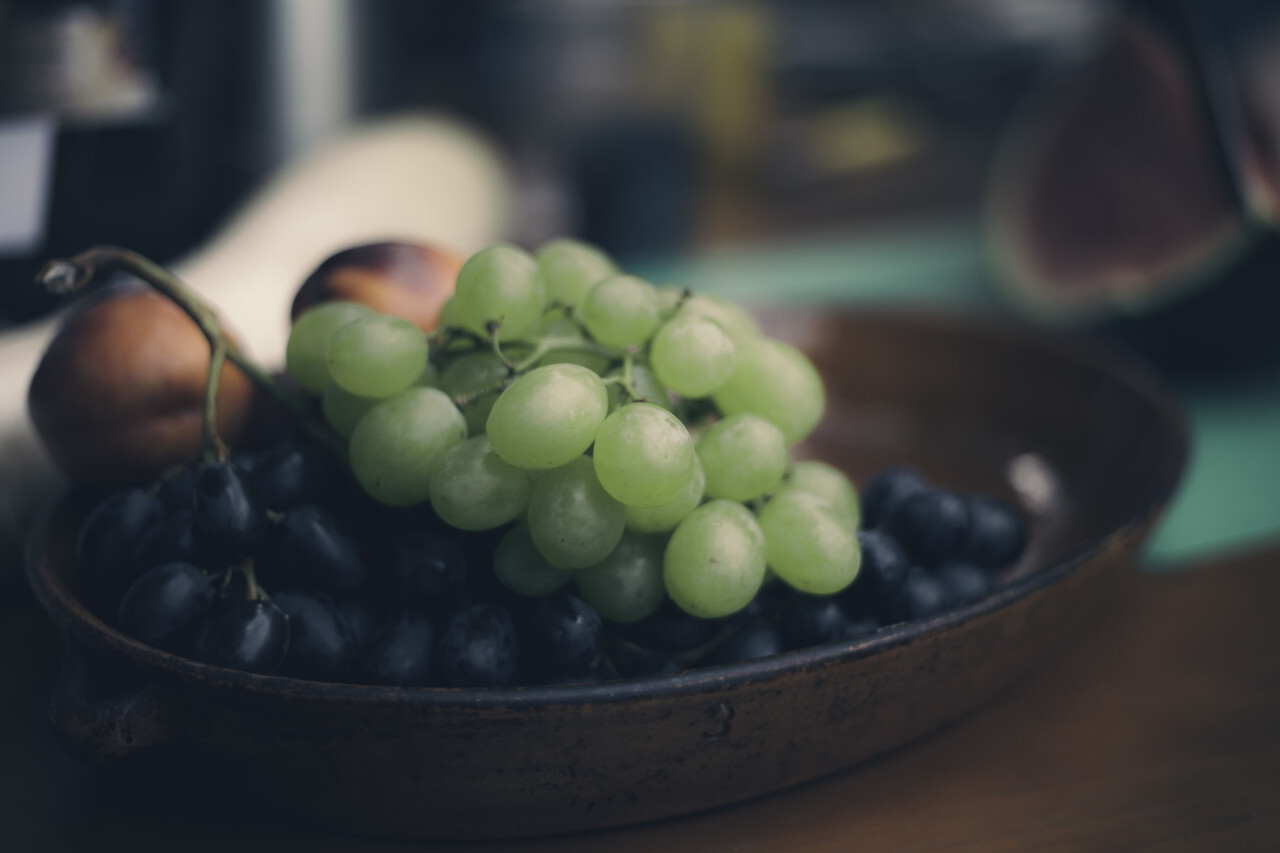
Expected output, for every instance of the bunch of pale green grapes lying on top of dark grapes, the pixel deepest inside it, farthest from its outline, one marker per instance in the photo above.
(633, 440)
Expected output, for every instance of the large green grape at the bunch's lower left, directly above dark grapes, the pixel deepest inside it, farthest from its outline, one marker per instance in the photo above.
(397, 444)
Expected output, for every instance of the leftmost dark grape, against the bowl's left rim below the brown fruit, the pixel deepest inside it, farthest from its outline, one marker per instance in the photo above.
(111, 536)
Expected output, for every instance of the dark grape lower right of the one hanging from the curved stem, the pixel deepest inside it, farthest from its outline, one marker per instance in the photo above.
(313, 549)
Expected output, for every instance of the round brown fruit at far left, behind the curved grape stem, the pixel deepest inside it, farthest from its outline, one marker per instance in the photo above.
(118, 396)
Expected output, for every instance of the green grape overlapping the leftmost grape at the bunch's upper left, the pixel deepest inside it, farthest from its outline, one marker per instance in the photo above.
(377, 357)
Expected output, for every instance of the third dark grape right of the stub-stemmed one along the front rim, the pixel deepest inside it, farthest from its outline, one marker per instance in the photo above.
(479, 649)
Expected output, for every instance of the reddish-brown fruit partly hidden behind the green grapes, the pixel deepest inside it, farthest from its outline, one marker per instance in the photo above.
(412, 281)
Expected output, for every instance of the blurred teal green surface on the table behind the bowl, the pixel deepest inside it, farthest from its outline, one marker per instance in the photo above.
(1231, 496)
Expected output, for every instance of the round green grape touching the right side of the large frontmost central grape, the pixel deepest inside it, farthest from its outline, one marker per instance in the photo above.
(643, 455)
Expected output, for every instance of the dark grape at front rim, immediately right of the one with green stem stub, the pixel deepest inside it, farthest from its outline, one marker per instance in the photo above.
(322, 645)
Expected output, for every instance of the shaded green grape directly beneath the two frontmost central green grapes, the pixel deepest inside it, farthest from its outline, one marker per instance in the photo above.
(574, 522)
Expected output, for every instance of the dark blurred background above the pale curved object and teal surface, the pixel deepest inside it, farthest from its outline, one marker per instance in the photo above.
(652, 129)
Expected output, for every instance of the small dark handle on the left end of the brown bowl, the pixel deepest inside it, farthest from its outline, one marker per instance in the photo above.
(107, 729)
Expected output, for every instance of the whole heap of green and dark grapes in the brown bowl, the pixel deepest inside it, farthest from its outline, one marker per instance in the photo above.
(579, 476)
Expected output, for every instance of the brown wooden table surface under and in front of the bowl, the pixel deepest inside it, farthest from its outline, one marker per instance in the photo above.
(1160, 729)
